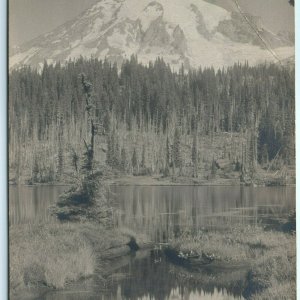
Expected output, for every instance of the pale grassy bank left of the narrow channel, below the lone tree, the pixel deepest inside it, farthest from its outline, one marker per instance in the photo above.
(53, 255)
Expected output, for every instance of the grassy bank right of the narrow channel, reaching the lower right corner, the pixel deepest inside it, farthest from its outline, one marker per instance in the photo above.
(269, 258)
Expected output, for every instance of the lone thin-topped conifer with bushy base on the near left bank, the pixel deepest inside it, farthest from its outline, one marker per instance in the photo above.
(85, 200)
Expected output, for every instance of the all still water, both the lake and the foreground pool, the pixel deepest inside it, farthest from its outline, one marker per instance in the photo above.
(161, 212)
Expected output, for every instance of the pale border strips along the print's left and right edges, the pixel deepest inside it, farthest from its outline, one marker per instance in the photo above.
(3, 147)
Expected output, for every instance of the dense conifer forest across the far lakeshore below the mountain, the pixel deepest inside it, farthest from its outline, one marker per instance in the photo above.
(150, 118)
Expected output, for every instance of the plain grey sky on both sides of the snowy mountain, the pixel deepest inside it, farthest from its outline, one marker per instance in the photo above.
(30, 18)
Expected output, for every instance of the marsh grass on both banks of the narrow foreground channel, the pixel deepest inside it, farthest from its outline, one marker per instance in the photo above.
(54, 255)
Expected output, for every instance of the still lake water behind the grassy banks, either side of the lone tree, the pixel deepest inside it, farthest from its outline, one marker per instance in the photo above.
(165, 211)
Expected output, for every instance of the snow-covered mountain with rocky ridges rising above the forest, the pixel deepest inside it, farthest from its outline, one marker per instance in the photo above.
(189, 32)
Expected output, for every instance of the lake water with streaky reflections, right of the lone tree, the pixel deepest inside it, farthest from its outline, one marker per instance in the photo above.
(163, 212)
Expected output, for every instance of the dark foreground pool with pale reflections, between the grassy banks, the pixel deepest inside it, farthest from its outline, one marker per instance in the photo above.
(145, 278)
